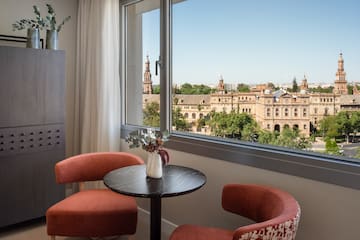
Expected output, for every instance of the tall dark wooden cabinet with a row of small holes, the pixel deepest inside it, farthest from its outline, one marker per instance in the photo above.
(32, 131)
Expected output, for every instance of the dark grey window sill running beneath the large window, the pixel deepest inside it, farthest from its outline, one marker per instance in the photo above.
(330, 169)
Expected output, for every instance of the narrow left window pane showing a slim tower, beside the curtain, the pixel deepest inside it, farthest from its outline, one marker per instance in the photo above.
(142, 52)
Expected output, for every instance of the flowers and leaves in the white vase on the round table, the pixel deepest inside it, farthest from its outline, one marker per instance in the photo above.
(151, 141)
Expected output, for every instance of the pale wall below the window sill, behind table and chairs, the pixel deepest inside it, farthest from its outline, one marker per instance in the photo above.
(328, 211)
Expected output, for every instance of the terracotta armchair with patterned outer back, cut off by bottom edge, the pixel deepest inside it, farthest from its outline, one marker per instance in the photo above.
(275, 212)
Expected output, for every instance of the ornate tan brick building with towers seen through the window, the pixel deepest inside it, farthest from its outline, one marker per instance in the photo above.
(272, 110)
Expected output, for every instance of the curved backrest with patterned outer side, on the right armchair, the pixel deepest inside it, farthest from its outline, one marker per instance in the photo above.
(275, 212)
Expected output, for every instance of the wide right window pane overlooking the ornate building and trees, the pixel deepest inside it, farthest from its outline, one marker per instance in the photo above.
(274, 72)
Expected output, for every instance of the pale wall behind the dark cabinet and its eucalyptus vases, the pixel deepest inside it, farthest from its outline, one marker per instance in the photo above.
(12, 10)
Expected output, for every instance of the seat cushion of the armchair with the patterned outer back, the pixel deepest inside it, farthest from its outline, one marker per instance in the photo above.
(189, 232)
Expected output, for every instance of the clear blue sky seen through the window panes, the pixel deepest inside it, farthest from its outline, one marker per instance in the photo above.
(259, 41)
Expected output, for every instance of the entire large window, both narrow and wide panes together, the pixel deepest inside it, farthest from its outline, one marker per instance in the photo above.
(232, 73)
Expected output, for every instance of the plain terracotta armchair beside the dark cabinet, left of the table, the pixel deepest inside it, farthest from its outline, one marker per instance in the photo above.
(95, 212)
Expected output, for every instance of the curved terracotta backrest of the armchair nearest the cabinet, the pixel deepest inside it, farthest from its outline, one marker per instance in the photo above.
(92, 166)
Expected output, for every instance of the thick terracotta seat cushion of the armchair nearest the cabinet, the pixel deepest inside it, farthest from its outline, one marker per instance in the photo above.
(93, 213)
